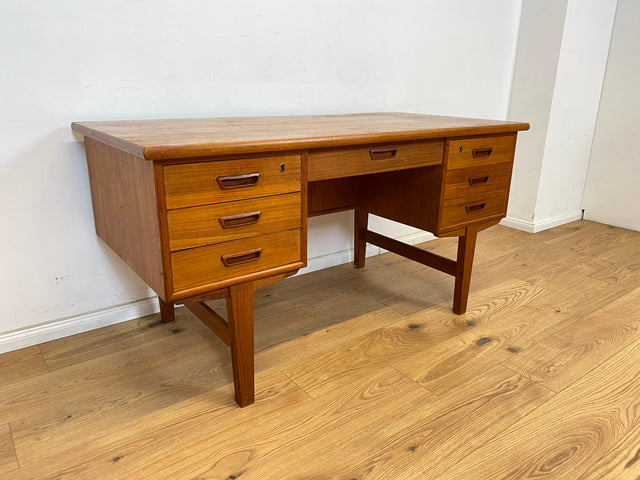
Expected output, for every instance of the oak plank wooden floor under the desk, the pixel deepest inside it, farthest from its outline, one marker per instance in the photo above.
(361, 374)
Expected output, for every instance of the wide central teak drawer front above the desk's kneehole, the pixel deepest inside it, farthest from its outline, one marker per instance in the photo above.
(326, 163)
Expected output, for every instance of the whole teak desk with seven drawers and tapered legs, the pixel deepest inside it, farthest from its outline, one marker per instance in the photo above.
(217, 207)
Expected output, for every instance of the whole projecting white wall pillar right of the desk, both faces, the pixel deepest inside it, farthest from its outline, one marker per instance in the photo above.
(551, 165)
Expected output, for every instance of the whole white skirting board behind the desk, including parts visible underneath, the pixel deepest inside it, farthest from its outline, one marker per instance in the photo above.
(121, 313)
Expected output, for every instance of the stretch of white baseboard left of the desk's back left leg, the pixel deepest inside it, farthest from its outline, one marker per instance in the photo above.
(78, 324)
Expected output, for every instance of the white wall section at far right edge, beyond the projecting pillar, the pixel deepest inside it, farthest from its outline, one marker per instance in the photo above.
(612, 191)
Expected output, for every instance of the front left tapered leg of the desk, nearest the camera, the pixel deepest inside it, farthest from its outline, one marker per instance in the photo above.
(240, 314)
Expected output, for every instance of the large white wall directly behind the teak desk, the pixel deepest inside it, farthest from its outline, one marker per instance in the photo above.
(82, 60)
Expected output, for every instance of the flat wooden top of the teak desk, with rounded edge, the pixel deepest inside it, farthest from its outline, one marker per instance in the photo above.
(197, 137)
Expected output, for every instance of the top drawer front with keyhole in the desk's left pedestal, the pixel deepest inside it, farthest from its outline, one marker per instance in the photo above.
(202, 183)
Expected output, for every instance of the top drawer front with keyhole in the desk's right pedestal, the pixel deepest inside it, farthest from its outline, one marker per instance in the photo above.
(470, 152)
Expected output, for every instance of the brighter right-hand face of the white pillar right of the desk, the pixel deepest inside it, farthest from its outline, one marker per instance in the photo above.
(581, 68)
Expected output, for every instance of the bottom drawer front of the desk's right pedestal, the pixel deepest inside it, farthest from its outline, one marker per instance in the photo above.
(457, 212)
